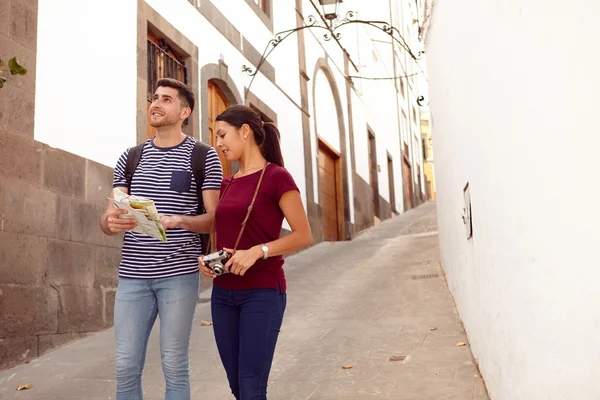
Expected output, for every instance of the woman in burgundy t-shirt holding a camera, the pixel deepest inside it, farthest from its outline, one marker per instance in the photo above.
(248, 302)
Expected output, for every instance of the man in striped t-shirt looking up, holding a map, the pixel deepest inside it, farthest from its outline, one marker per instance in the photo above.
(161, 278)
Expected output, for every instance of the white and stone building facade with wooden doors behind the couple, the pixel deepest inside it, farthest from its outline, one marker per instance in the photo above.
(346, 107)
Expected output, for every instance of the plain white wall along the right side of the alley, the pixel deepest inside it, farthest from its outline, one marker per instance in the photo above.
(516, 116)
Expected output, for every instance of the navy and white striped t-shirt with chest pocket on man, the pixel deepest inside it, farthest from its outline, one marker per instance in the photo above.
(165, 176)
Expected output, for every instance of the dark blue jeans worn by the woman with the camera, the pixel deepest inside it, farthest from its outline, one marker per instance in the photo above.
(246, 325)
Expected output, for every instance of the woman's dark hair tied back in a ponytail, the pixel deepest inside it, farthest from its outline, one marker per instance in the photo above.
(266, 134)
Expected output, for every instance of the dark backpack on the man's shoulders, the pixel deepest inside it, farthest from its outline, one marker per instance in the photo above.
(199, 153)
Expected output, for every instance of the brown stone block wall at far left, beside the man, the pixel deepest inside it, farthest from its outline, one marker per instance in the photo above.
(58, 272)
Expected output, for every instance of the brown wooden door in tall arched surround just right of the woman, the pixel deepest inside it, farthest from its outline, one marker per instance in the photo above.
(329, 193)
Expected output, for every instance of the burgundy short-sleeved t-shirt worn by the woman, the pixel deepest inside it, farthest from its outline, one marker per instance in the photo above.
(264, 225)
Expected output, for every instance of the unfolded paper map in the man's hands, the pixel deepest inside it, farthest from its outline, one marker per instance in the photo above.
(144, 211)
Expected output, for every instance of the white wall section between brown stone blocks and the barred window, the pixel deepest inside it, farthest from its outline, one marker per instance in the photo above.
(85, 77)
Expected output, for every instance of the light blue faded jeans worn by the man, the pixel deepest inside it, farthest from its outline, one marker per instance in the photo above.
(137, 303)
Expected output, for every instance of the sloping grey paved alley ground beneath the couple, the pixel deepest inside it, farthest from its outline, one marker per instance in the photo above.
(362, 303)
